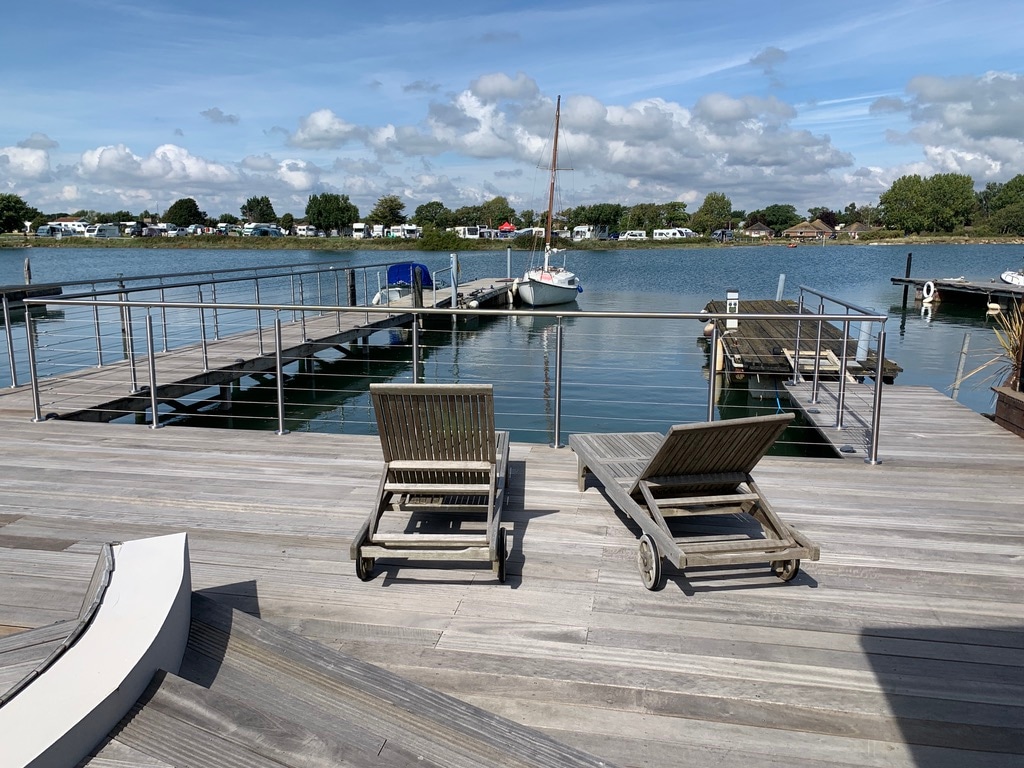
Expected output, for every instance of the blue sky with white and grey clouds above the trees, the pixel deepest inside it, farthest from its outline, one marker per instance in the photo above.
(119, 105)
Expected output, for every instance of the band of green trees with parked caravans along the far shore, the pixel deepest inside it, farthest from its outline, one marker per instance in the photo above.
(946, 203)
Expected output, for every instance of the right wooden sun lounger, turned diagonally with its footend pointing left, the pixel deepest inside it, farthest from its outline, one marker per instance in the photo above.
(695, 471)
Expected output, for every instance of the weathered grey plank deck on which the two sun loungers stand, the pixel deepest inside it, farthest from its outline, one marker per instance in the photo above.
(903, 647)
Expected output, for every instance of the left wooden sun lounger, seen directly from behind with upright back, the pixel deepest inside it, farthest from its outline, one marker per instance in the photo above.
(446, 467)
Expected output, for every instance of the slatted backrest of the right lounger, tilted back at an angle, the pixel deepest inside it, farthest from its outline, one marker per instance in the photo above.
(730, 447)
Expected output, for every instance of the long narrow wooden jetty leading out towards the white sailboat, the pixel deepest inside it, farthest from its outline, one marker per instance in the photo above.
(109, 393)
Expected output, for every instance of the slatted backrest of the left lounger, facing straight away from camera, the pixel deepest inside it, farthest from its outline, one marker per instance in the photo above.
(436, 423)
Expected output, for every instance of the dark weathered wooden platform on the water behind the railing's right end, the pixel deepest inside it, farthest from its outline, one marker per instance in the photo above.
(766, 348)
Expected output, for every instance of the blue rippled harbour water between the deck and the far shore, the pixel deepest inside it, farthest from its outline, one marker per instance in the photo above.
(642, 375)
